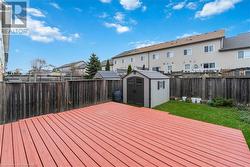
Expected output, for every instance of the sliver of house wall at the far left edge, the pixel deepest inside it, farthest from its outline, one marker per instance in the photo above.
(4, 38)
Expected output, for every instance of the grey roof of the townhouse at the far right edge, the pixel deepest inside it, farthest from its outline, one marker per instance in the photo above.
(237, 42)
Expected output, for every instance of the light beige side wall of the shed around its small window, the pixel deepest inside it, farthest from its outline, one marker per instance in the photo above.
(159, 96)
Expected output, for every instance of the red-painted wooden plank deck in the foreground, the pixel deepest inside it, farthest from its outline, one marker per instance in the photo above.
(114, 134)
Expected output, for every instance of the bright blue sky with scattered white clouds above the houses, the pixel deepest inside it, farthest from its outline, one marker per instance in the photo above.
(64, 31)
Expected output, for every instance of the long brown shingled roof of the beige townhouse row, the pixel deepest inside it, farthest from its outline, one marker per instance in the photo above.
(179, 42)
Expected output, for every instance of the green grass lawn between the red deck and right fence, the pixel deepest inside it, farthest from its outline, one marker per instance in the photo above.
(228, 117)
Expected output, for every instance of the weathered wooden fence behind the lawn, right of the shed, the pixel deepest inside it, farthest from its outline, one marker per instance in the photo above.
(237, 89)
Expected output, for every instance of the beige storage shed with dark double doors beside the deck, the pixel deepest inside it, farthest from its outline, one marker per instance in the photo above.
(145, 88)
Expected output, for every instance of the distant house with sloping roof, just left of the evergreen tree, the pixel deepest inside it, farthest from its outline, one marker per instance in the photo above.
(76, 68)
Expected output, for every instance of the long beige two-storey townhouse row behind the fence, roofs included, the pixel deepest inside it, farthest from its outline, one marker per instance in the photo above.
(209, 52)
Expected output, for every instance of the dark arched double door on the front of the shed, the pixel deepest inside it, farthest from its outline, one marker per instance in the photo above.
(135, 91)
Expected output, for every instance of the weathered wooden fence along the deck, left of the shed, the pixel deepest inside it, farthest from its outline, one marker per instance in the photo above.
(24, 100)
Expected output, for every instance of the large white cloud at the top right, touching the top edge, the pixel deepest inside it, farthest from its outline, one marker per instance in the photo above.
(216, 7)
